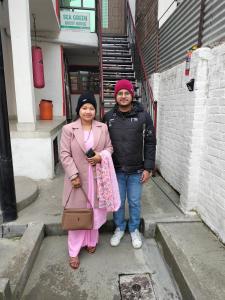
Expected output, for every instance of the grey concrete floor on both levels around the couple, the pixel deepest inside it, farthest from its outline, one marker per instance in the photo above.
(98, 275)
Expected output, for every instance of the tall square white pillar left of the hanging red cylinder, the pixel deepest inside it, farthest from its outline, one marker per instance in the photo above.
(19, 18)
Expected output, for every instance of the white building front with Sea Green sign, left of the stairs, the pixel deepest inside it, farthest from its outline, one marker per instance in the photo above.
(66, 32)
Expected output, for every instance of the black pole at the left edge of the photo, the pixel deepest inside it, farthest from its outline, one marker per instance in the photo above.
(7, 186)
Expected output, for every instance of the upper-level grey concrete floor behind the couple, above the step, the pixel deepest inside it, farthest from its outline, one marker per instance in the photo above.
(48, 208)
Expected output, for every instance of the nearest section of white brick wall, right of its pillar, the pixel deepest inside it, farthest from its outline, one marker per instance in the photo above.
(211, 199)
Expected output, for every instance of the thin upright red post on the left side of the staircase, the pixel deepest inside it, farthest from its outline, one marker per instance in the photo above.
(100, 57)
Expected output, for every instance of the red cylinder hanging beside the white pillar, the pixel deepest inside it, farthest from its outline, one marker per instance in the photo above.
(38, 67)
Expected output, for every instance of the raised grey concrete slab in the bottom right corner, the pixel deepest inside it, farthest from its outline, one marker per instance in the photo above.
(197, 259)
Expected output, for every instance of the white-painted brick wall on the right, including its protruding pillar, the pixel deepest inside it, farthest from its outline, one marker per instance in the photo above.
(191, 134)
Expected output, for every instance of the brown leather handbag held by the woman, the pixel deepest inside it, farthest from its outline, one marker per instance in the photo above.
(77, 218)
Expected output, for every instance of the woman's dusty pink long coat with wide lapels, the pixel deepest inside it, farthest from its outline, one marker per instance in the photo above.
(72, 155)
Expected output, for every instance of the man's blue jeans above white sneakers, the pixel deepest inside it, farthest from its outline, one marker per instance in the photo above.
(130, 187)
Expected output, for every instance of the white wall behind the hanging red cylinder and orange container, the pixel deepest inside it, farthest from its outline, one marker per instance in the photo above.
(53, 89)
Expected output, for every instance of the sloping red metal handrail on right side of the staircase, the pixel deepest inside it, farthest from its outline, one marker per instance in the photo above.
(147, 94)
